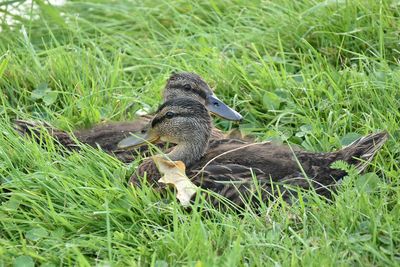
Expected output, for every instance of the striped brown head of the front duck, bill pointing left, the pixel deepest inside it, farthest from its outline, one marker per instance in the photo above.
(181, 121)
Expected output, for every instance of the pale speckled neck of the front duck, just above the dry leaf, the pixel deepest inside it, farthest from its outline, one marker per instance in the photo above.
(190, 151)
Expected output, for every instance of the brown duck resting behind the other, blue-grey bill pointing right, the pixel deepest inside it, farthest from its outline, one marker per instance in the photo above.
(107, 136)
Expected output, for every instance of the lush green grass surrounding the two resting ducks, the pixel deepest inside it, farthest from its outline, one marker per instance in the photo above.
(311, 73)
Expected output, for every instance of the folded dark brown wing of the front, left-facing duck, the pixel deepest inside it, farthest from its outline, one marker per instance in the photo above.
(233, 168)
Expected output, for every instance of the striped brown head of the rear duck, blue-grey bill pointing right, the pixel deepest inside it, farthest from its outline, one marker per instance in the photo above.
(191, 85)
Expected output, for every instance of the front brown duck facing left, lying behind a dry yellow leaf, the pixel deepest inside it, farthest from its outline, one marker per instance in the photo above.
(235, 168)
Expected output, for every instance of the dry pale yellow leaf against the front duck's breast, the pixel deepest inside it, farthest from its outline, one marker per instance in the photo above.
(174, 174)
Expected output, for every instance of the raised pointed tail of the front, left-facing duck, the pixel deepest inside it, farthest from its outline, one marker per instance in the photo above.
(362, 151)
